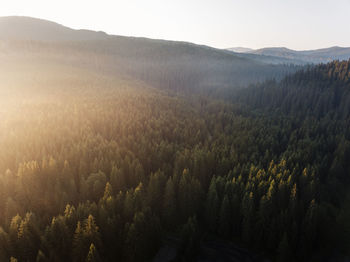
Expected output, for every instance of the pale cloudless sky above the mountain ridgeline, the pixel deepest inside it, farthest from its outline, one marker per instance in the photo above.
(296, 24)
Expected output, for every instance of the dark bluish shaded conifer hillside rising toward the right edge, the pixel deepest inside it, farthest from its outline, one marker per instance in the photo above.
(319, 92)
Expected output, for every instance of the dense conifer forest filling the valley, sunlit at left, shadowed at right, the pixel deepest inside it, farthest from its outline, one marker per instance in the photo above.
(108, 171)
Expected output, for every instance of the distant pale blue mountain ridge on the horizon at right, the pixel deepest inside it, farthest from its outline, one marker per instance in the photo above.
(323, 55)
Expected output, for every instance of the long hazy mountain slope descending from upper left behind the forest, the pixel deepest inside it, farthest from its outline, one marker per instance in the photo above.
(165, 64)
